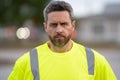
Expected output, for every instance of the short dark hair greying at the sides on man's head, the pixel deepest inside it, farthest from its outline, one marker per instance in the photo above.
(58, 6)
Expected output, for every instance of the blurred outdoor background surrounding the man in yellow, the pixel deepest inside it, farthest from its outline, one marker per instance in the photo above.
(21, 29)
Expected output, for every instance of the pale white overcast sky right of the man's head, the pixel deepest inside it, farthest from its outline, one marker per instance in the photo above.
(87, 7)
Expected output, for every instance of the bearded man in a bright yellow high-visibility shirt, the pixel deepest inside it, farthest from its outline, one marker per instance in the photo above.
(60, 58)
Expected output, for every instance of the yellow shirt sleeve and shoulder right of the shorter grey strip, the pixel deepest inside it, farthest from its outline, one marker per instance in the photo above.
(102, 66)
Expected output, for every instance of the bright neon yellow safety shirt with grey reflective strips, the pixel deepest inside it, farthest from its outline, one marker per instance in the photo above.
(79, 63)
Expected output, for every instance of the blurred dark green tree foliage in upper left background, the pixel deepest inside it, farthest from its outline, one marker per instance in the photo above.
(18, 11)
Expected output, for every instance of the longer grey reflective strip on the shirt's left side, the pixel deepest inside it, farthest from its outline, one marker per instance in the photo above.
(34, 64)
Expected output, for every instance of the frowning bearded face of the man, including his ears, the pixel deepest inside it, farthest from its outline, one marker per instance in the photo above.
(59, 27)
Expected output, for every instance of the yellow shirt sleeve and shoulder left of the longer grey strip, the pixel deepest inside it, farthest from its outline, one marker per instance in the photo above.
(21, 68)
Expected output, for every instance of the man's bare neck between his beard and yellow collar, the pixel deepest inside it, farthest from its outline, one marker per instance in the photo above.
(65, 48)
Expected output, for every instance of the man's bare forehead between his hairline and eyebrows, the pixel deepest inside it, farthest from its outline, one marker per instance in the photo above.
(59, 16)
